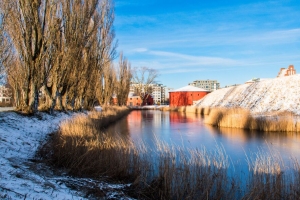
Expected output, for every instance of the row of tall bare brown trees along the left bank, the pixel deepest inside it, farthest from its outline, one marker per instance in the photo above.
(62, 51)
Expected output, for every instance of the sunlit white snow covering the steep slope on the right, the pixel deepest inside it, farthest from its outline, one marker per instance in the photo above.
(278, 94)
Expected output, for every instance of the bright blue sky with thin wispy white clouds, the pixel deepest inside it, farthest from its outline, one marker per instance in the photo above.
(230, 41)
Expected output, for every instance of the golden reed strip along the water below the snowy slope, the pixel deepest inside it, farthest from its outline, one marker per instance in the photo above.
(244, 119)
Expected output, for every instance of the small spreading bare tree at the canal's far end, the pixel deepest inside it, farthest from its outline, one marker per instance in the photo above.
(142, 80)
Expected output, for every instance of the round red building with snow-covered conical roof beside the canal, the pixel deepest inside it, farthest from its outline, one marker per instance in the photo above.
(186, 96)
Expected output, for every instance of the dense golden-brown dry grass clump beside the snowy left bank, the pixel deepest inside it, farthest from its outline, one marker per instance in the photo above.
(83, 149)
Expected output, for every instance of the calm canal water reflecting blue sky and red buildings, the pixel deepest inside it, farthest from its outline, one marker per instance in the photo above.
(187, 129)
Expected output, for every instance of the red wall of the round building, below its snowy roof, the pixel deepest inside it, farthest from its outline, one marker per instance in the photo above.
(185, 98)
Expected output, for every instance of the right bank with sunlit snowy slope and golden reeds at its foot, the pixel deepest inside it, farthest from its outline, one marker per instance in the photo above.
(267, 105)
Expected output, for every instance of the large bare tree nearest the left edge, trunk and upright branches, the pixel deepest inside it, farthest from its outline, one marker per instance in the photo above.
(27, 25)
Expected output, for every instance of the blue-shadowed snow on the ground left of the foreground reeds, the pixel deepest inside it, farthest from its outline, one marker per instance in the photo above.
(21, 177)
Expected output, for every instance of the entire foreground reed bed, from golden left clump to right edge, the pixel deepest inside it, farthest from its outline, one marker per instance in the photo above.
(166, 171)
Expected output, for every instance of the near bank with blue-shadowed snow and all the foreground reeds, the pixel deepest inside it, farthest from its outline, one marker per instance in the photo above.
(143, 172)
